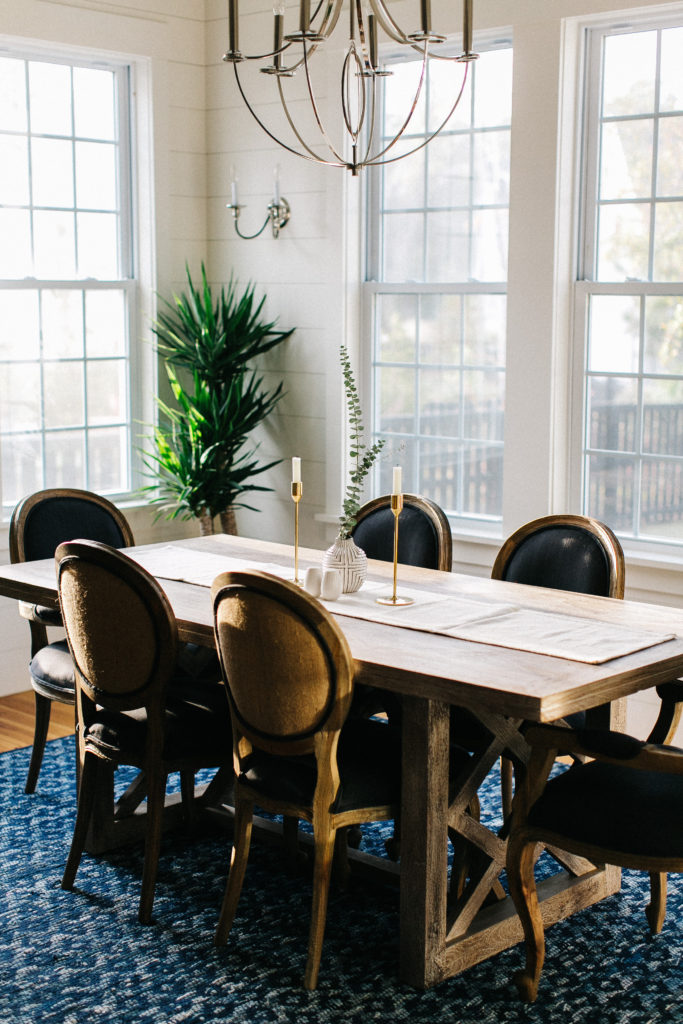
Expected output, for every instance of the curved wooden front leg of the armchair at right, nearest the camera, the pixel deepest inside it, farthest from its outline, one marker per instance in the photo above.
(522, 858)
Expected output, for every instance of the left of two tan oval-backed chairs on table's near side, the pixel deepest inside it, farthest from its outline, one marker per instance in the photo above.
(123, 639)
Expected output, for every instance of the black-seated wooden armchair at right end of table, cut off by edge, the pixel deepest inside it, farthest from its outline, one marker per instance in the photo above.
(625, 807)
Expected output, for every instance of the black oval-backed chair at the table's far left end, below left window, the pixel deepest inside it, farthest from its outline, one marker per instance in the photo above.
(39, 524)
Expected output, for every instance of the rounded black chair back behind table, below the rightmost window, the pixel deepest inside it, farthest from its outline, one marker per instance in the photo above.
(564, 552)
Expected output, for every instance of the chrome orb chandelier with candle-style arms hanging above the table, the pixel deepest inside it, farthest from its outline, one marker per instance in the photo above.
(361, 75)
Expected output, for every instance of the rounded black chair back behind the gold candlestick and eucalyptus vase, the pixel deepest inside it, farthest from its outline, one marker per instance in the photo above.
(424, 533)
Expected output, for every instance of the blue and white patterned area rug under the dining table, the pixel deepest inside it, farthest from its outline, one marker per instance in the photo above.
(82, 958)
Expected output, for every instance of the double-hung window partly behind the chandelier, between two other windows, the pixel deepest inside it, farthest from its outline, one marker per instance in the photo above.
(436, 290)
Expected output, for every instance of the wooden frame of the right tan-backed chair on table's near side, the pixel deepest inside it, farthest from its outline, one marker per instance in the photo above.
(322, 743)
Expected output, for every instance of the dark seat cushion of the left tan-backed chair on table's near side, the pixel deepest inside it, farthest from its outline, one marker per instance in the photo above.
(197, 726)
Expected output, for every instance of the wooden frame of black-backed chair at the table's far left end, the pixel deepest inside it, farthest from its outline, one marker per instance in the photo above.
(39, 619)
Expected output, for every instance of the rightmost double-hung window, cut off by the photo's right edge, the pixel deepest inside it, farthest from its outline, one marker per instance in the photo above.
(629, 317)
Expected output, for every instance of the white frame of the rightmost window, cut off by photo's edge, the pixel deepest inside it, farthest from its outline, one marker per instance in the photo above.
(585, 286)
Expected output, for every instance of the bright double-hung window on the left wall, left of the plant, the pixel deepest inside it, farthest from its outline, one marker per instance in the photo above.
(67, 282)
